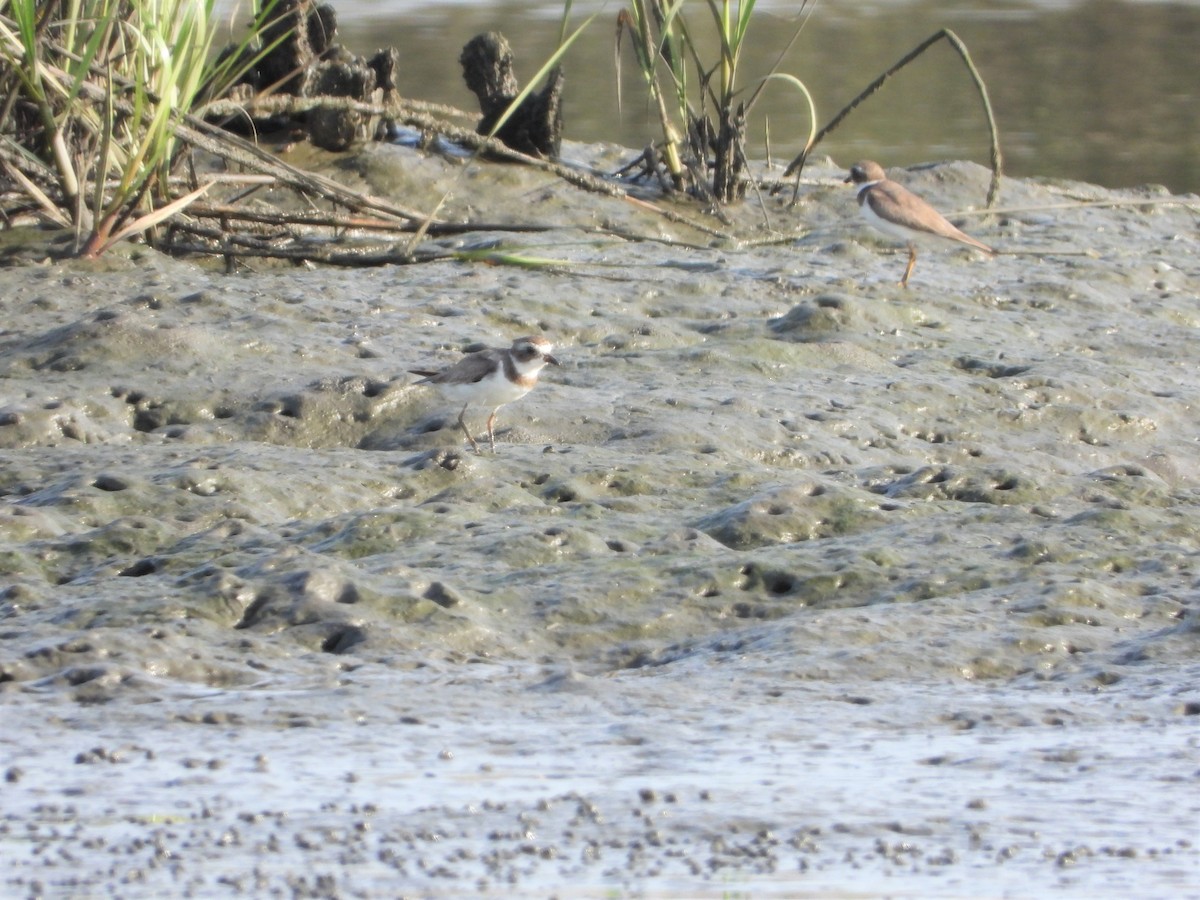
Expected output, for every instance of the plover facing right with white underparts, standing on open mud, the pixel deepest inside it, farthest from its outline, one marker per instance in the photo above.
(491, 379)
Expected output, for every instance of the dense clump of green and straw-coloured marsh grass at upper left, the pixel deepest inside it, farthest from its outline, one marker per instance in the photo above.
(95, 92)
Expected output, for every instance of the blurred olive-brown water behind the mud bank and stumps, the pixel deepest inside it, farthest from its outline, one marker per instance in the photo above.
(1103, 92)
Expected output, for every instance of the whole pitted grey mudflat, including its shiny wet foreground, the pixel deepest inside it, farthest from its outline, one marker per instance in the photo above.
(788, 583)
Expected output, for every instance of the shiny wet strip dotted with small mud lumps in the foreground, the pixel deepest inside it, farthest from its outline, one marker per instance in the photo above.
(719, 777)
